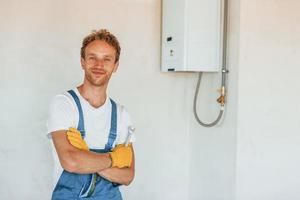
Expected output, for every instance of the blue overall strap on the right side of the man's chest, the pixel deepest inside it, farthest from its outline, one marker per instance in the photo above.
(113, 126)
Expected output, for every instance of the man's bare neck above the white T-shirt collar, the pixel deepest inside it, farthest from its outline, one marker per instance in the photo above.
(95, 95)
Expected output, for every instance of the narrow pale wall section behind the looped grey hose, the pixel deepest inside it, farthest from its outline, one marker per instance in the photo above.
(213, 150)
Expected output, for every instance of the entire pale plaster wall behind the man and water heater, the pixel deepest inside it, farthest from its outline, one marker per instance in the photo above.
(252, 155)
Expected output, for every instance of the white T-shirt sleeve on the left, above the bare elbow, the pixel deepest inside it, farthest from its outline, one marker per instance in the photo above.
(62, 114)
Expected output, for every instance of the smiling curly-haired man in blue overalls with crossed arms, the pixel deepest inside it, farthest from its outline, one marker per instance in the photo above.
(89, 129)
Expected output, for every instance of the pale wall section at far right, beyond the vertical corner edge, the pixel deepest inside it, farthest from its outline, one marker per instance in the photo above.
(268, 91)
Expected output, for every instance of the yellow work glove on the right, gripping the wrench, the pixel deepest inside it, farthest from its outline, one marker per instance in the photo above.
(121, 156)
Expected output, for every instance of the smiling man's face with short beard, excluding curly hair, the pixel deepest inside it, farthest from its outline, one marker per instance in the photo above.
(99, 62)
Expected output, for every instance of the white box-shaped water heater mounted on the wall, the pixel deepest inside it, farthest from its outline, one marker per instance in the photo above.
(192, 35)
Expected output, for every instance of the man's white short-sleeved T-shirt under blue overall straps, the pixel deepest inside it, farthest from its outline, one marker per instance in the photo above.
(63, 114)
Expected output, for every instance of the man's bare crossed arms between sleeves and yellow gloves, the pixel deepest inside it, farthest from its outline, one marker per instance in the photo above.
(86, 162)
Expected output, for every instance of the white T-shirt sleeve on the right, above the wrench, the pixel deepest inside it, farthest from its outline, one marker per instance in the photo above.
(125, 122)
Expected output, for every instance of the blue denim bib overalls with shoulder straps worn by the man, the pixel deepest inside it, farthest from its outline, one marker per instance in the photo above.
(72, 186)
